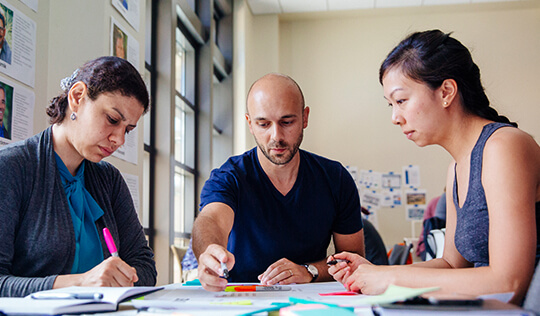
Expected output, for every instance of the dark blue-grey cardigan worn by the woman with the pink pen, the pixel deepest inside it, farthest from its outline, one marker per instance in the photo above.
(37, 241)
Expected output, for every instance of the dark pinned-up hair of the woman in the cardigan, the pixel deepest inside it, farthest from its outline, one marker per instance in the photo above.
(101, 75)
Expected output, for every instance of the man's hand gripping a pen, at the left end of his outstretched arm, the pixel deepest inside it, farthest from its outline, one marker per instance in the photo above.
(210, 272)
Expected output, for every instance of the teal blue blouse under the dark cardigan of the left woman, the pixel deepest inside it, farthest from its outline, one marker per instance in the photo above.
(84, 213)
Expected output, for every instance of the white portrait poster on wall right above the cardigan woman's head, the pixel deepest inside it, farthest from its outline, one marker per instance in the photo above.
(123, 44)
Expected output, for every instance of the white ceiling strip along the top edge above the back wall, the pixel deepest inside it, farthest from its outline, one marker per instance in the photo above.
(297, 6)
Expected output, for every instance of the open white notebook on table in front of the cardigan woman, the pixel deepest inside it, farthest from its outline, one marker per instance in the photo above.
(111, 297)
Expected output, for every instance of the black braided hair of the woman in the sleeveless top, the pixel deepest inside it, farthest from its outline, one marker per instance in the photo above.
(431, 57)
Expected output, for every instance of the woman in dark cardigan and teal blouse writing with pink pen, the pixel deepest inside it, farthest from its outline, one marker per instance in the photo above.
(57, 194)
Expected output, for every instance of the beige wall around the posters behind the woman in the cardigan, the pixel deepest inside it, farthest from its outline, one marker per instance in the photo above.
(69, 33)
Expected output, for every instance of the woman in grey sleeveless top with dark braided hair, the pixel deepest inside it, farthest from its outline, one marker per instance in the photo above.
(493, 184)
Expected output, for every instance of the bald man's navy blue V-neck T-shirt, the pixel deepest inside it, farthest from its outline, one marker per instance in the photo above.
(269, 226)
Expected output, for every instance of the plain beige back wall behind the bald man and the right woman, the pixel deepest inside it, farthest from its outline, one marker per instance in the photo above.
(335, 58)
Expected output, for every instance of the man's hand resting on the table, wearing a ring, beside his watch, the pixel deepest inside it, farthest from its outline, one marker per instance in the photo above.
(284, 271)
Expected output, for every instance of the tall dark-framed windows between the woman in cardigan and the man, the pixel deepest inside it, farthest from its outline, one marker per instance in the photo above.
(179, 147)
